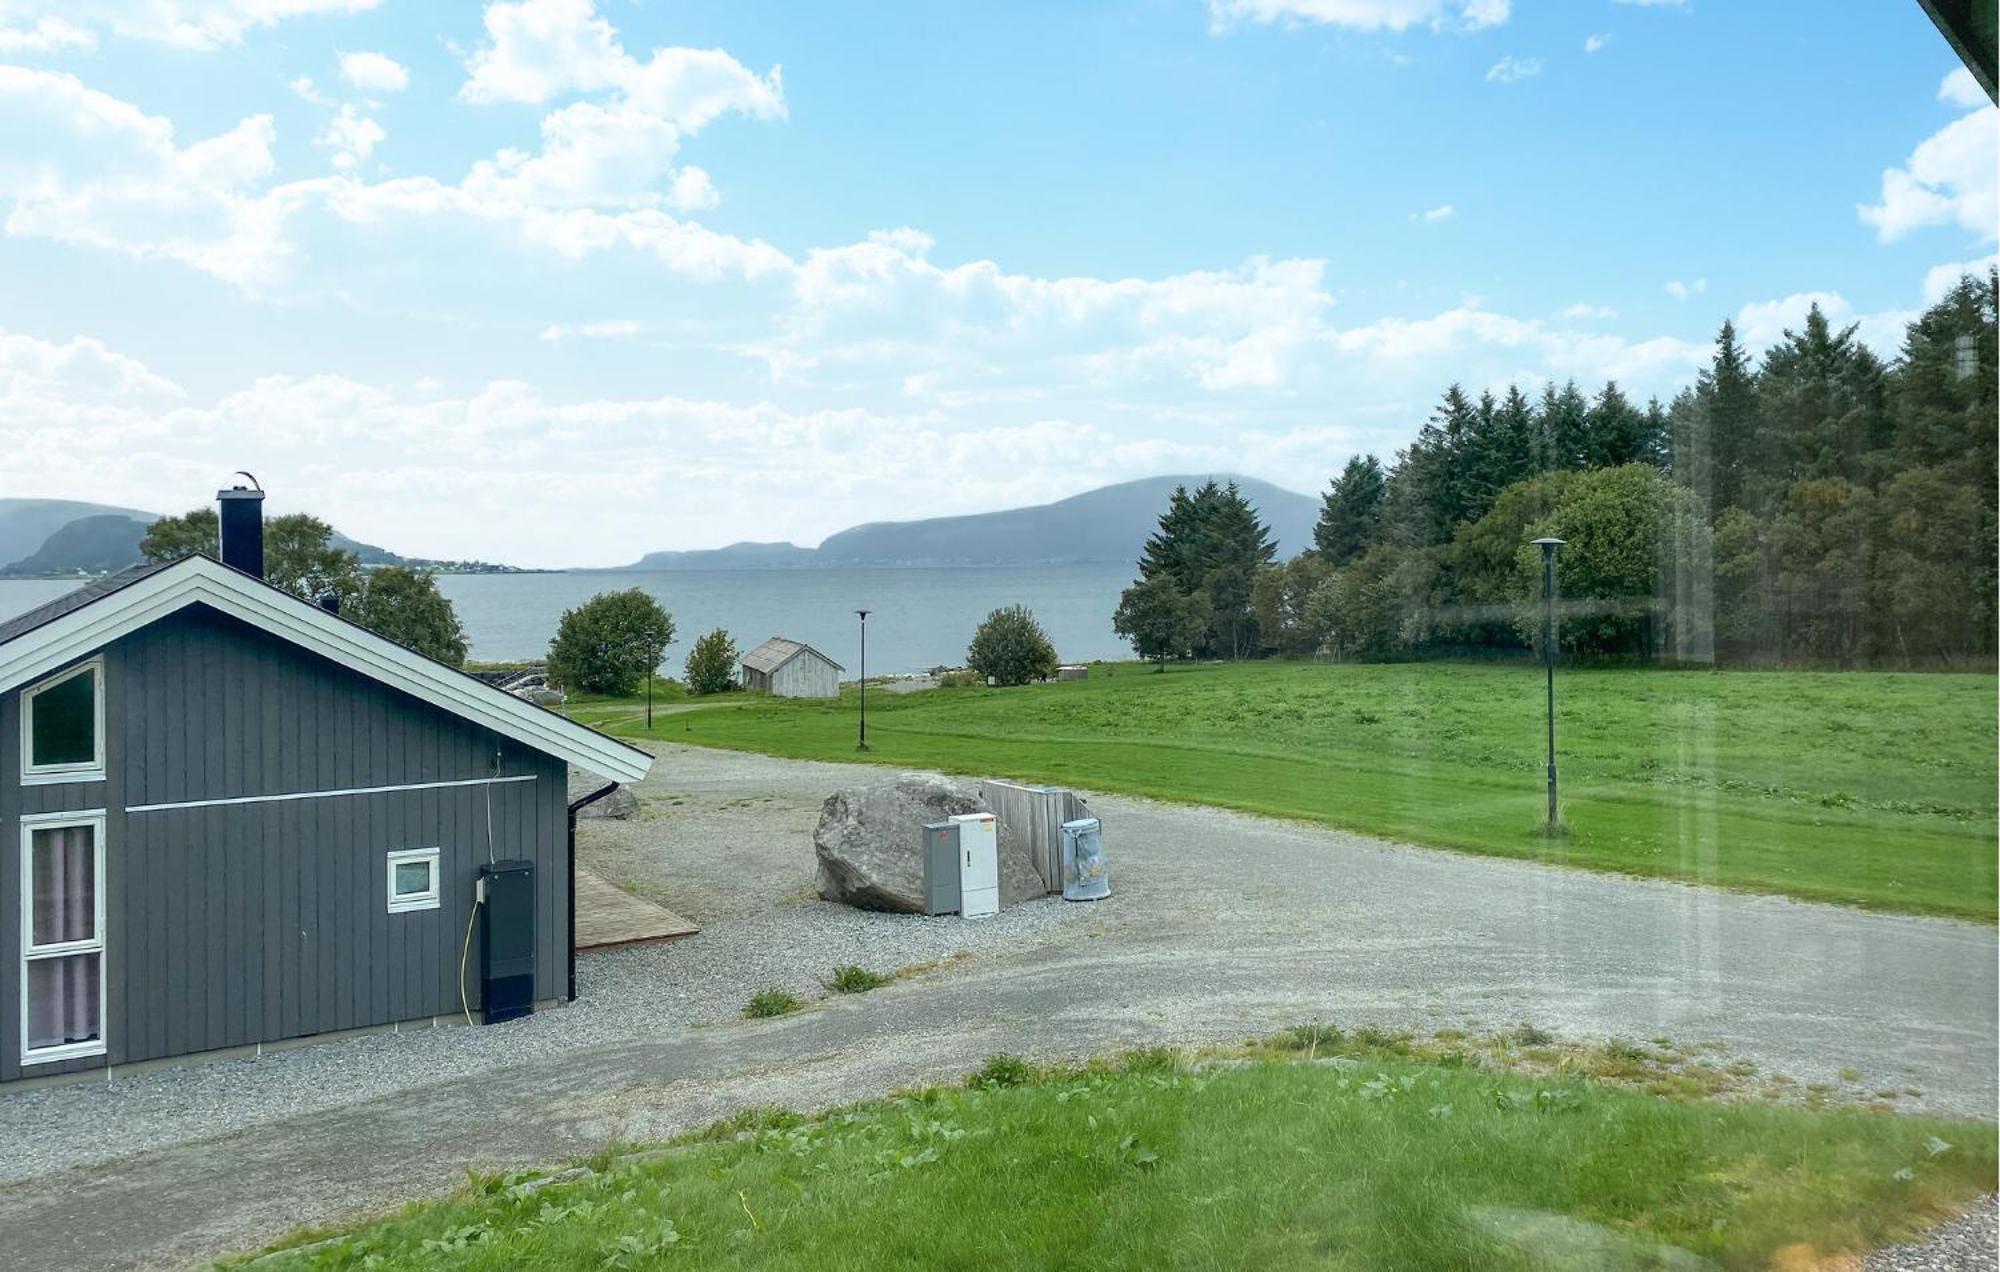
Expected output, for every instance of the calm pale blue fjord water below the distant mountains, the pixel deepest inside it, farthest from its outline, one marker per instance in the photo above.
(919, 617)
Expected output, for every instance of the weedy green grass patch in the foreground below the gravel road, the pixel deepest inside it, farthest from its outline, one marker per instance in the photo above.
(1367, 1159)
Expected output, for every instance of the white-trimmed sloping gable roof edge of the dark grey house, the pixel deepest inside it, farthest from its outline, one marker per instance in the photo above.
(91, 617)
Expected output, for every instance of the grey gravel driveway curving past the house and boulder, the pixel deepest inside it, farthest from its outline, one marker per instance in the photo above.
(1221, 925)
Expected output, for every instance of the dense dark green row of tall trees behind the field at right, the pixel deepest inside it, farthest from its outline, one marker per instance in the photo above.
(1811, 507)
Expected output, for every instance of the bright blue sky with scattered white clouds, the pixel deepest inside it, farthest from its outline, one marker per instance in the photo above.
(559, 283)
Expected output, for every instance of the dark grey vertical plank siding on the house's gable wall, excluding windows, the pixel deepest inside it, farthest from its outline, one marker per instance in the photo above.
(257, 923)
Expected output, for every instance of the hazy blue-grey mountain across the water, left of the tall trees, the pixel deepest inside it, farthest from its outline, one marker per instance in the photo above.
(1107, 525)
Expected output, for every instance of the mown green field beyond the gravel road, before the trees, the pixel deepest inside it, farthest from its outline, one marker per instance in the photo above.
(1849, 787)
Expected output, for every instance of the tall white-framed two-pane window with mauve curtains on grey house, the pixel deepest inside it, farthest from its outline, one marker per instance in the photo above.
(61, 937)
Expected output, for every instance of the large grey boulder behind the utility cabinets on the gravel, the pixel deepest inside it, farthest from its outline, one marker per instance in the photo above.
(871, 843)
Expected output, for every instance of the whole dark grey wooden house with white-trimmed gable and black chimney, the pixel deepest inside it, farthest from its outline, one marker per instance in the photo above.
(231, 819)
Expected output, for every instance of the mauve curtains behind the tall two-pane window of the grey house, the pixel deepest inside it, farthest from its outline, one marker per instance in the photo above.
(63, 993)
